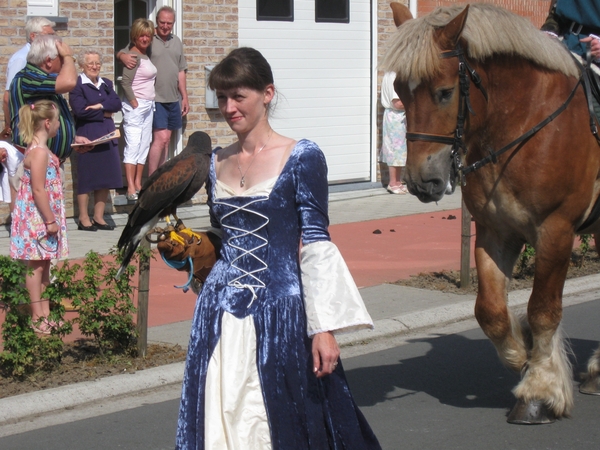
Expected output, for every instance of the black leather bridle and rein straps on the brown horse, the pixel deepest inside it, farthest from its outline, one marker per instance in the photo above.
(465, 74)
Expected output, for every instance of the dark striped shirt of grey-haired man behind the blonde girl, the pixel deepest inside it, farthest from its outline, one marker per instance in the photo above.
(32, 84)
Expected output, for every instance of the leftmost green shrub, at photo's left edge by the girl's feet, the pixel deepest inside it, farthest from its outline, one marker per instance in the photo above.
(24, 352)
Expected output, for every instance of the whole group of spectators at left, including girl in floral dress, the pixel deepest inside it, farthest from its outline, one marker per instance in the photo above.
(41, 132)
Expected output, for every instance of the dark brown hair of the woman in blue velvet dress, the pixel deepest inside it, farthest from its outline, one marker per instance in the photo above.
(242, 67)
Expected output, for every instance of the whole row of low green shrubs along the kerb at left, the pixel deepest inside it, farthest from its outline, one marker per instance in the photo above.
(105, 311)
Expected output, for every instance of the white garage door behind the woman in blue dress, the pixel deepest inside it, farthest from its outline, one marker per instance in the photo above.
(323, 75)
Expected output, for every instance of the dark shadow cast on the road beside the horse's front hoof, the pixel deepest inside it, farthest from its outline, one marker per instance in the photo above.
(456, 370)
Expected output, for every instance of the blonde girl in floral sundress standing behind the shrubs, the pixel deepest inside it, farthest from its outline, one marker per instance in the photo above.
(39, 228)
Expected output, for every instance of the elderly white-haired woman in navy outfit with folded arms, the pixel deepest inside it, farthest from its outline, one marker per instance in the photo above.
(93, 102)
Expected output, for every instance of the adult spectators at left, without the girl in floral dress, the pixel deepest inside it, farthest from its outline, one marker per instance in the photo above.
(45, 68)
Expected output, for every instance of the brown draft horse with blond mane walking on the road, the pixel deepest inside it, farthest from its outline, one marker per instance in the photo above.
(472, 81)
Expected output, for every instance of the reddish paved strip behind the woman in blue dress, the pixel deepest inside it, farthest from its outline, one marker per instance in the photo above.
(418, 243)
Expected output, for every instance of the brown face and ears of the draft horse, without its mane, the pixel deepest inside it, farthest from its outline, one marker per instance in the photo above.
(431, 105)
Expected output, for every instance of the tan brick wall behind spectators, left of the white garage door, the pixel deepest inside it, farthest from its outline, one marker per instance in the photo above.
(209, 32)
